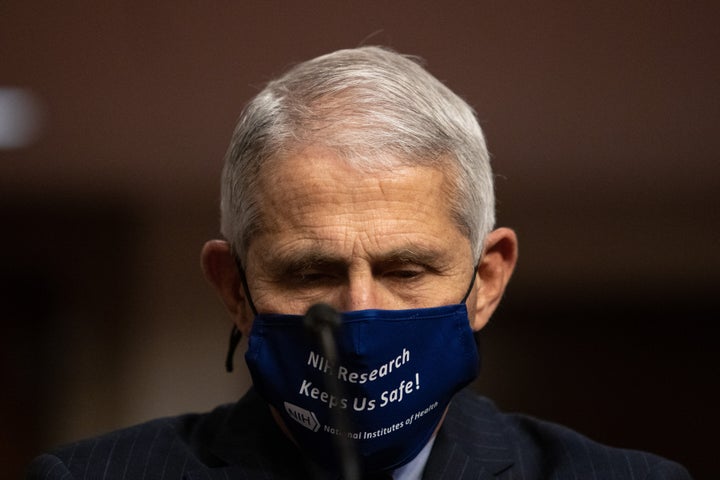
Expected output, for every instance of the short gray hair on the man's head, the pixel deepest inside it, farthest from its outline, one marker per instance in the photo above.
(376, 109)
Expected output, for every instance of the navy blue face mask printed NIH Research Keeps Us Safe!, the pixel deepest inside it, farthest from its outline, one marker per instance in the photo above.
(397, 369)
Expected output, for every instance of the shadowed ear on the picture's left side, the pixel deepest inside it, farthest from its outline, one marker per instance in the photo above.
(220, 269)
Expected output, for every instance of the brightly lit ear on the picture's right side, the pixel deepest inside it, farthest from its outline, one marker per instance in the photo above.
(493, 274)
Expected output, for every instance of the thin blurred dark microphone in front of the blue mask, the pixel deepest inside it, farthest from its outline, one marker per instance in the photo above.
(323, 321)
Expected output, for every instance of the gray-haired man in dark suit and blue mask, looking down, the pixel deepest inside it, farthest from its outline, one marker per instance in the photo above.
(356, 183)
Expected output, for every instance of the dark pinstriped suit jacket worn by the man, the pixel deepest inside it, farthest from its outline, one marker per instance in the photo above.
(241, 441)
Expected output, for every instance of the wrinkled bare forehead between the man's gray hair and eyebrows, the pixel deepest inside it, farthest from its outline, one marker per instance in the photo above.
(314, 197)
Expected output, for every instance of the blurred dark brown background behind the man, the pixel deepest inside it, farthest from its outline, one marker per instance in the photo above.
(603, 122)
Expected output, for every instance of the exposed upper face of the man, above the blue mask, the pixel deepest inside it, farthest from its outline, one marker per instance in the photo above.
(355, 240)
